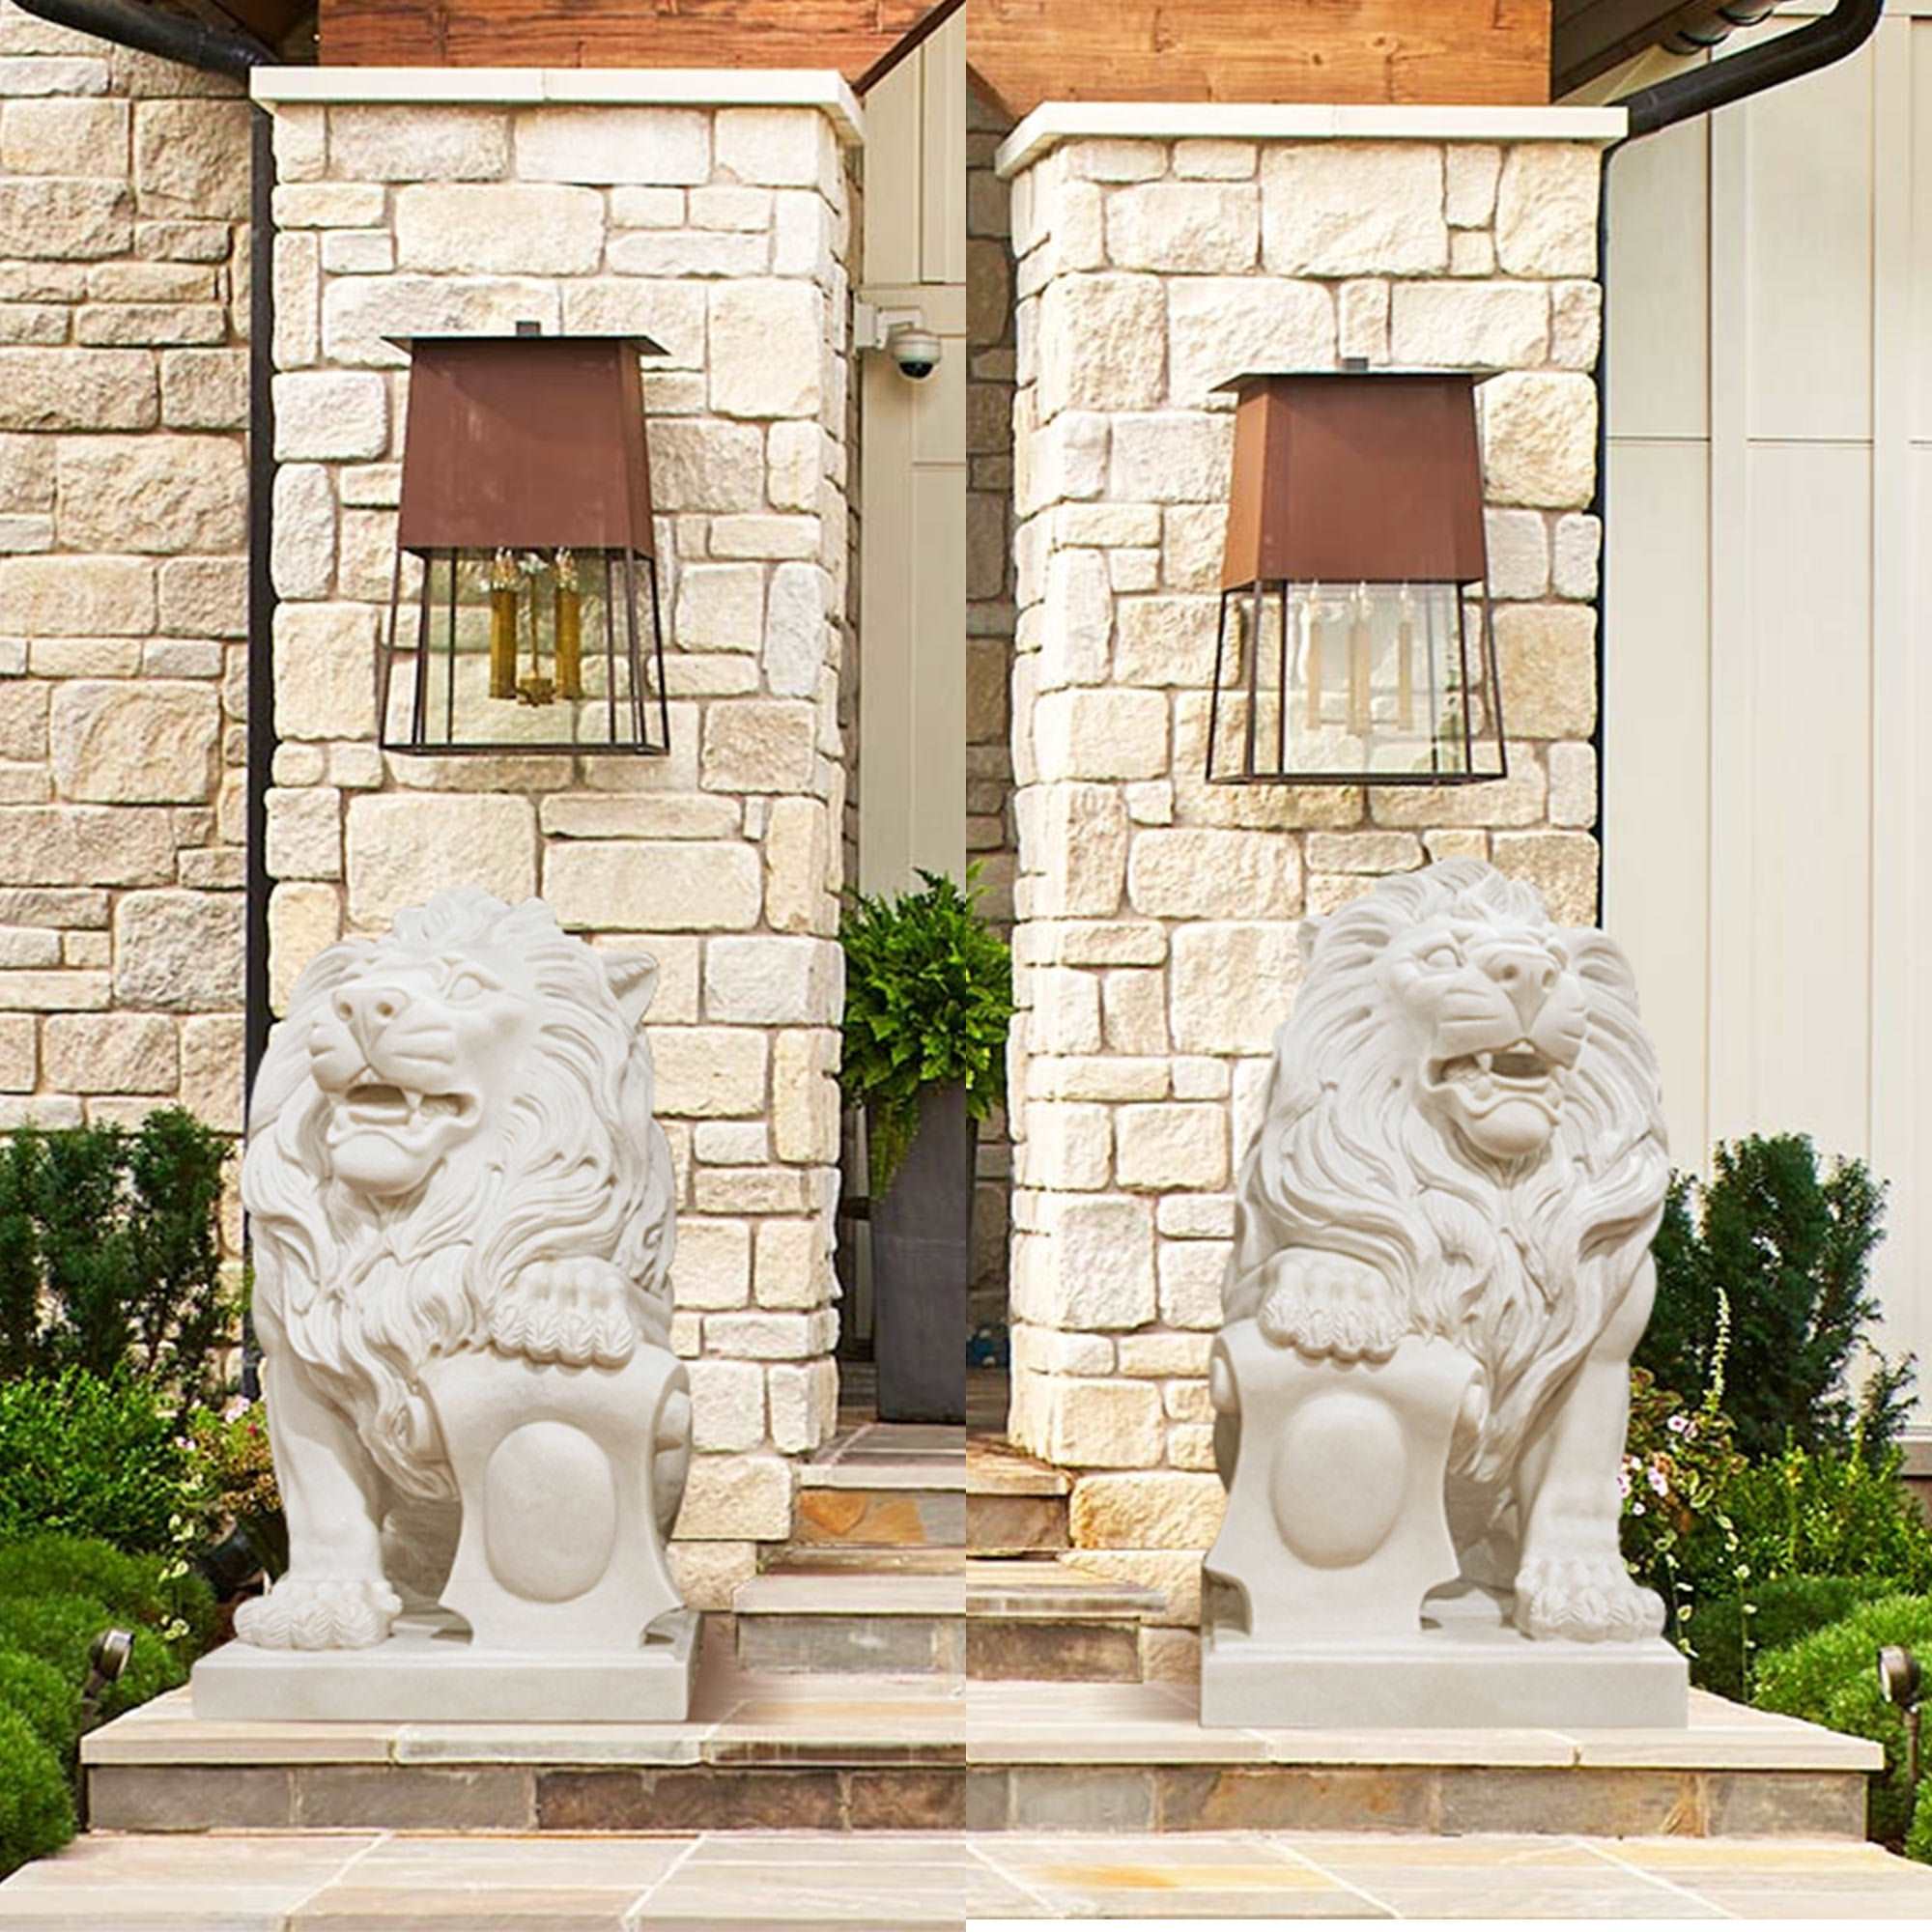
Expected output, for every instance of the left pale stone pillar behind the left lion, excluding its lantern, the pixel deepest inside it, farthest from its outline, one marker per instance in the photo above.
(598, 204)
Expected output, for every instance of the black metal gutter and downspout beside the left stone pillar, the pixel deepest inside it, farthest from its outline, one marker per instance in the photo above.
(237, 55)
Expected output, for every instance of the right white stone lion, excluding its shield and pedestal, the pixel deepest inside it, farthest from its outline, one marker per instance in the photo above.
(1463, 1141)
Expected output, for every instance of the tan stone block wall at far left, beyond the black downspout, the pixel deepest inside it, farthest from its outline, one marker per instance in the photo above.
(123, 581)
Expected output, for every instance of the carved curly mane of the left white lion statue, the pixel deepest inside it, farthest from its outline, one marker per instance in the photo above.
(575, 1166)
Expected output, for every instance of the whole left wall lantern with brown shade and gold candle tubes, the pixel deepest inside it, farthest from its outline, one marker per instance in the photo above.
(526, 494)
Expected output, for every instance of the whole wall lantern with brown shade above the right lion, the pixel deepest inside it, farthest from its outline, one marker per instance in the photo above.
(1355, 642)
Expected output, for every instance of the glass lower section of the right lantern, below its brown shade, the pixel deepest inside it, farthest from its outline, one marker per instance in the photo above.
(1355, 683)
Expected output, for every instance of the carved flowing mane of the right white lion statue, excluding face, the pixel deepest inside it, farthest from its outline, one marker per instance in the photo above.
(1523, 1264)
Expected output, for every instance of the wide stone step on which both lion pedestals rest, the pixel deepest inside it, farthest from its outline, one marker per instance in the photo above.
(880, 1755)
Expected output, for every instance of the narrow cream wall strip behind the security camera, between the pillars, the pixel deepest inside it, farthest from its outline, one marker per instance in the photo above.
(913, 592)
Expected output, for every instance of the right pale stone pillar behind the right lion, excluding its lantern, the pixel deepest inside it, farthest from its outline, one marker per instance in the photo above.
(1158, 915)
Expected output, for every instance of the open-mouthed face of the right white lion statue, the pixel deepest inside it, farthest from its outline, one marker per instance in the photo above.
(1496, 1023)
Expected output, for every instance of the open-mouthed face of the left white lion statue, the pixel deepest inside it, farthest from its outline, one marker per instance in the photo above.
(414, 1056)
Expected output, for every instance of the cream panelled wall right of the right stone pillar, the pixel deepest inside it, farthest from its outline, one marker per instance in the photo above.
(1769, 613)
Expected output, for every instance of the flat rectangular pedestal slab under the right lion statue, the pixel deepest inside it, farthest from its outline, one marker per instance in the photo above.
(1460, 1676)
